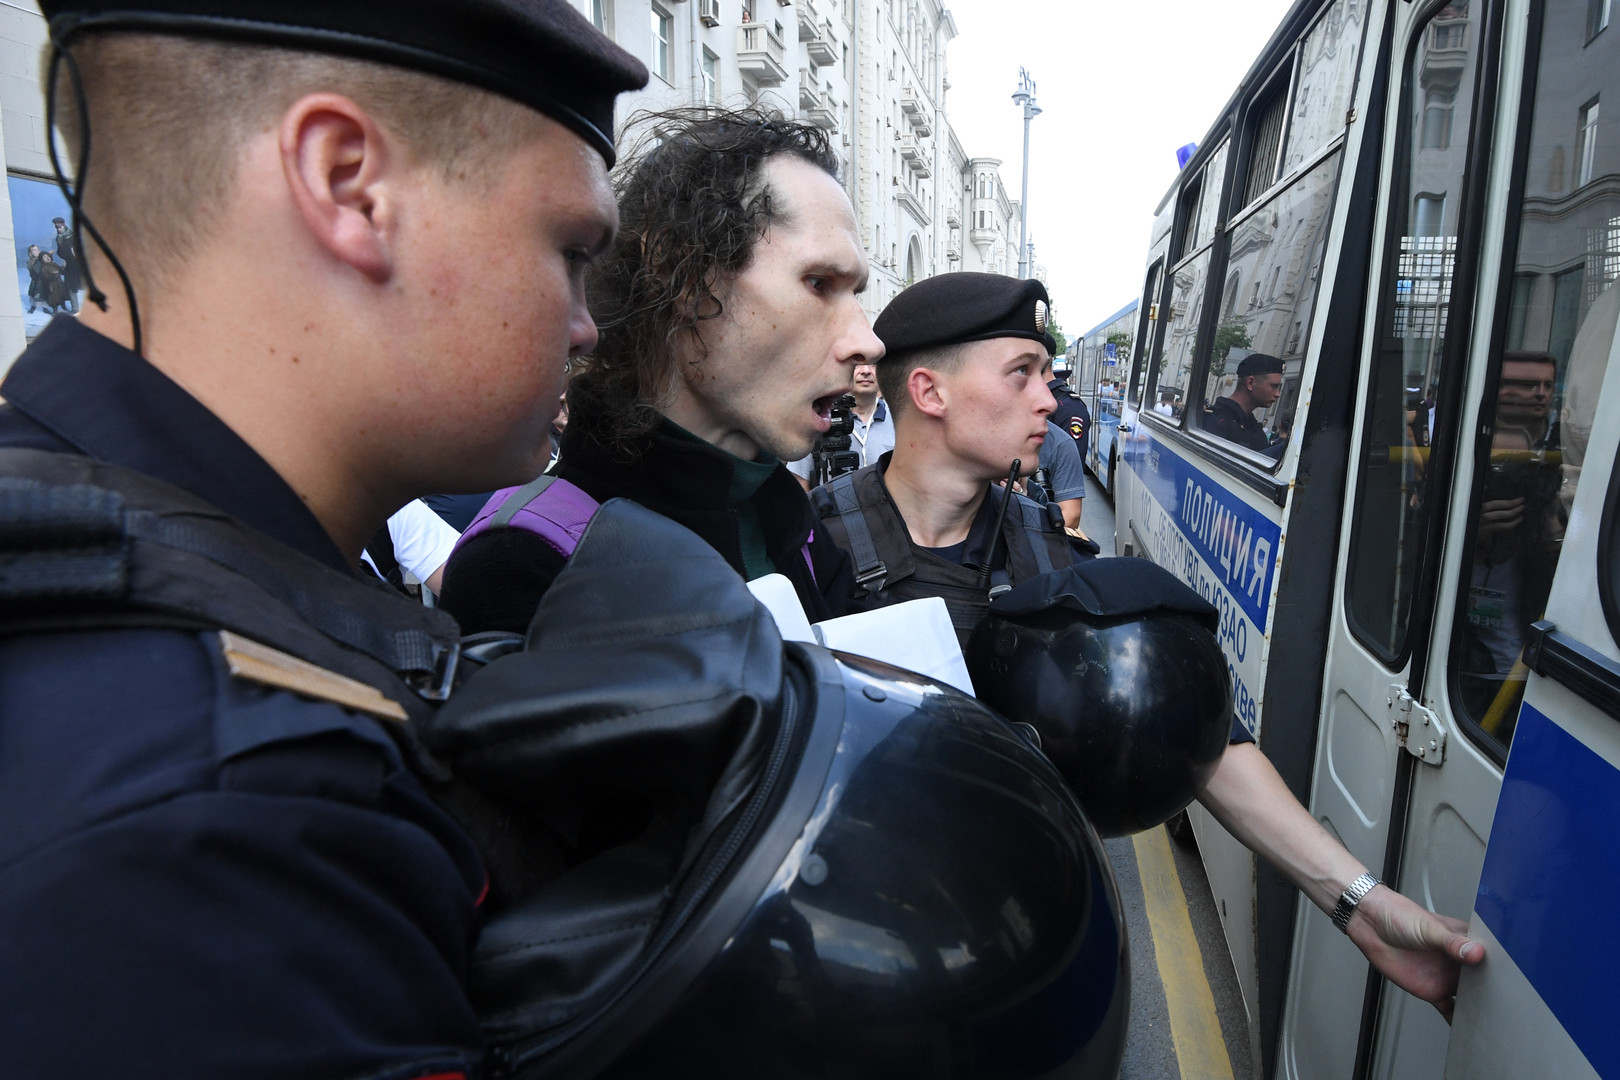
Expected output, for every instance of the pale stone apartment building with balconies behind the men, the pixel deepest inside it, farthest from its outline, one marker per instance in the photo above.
(872, 74)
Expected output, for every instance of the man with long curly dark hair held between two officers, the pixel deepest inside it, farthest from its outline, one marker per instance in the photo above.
(730, 321)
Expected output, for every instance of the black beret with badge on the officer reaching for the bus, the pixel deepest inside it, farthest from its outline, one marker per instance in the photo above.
(960, 308)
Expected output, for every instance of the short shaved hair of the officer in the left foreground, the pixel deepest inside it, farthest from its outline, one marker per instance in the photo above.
(171, 116)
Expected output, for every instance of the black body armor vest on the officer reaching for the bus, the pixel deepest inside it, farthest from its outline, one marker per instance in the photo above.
(890, 569)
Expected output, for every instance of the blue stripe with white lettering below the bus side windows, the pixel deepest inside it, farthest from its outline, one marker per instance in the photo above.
(1237, 543)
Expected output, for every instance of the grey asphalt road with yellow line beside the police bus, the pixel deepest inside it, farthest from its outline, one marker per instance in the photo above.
(1151, 1048)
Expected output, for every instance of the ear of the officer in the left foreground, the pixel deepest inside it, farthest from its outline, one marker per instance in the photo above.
(338, 164)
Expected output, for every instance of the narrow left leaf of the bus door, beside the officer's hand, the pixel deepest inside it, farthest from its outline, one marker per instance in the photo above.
(1388, 752)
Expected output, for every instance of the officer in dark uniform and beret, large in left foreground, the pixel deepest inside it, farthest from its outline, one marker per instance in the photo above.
(335, 260)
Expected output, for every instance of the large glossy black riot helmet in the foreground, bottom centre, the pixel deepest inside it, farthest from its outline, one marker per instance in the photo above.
(728, 857)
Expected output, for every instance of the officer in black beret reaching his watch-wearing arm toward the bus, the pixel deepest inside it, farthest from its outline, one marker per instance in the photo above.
(966, 375)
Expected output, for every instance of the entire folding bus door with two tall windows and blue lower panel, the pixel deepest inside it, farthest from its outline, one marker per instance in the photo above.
(1454, 553)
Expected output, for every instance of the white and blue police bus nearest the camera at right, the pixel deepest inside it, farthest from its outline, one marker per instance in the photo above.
(1412, 208)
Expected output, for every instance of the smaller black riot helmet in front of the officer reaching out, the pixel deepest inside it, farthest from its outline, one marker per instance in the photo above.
(1117, 668)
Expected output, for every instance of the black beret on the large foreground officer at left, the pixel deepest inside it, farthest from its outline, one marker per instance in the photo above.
(539, 53)
